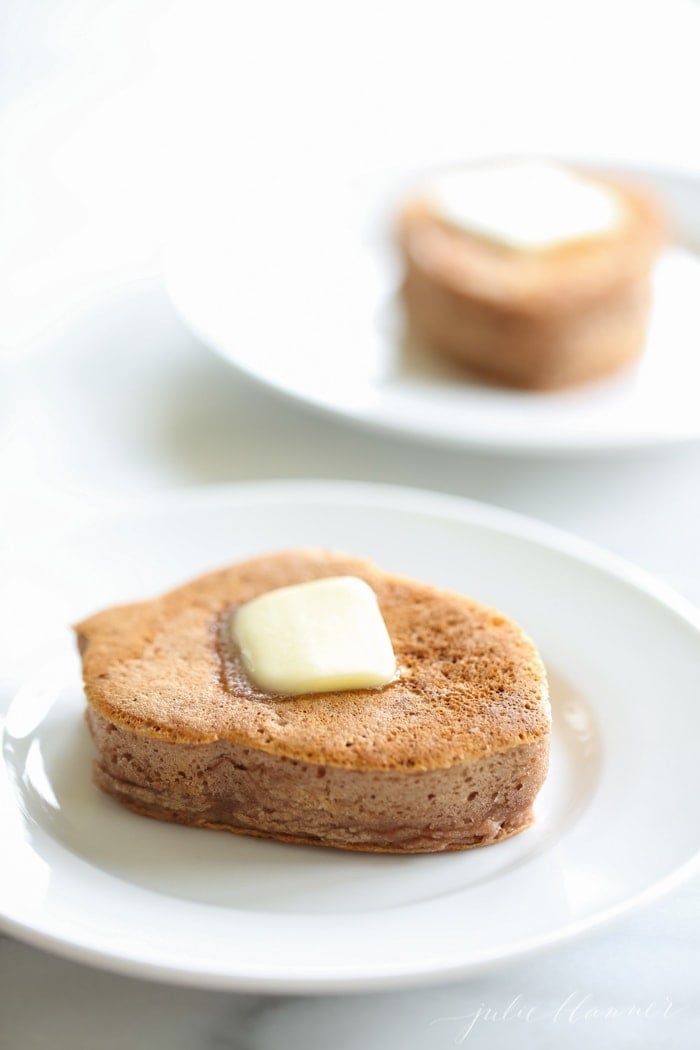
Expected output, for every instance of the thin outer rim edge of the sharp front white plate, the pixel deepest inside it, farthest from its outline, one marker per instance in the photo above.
(410, 500)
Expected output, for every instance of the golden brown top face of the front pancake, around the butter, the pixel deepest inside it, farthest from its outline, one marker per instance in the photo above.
(470, 682)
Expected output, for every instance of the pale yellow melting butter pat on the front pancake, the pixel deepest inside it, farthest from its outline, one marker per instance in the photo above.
(321, 637)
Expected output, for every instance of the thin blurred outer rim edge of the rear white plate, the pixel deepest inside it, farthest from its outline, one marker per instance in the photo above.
(529, 445)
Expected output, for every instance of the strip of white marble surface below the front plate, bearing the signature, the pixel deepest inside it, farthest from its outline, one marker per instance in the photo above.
(634, 986)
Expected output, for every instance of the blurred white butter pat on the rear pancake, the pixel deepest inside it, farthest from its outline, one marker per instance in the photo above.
(525, 205)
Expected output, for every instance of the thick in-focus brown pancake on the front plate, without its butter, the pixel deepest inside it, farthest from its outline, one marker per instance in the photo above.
(450, 755)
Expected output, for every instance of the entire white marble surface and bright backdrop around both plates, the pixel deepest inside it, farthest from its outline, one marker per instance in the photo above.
(114, 117)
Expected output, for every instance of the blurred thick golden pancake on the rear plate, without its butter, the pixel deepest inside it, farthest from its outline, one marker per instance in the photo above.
(537, 320)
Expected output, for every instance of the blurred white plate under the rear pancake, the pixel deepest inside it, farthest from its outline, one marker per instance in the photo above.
(300, 293)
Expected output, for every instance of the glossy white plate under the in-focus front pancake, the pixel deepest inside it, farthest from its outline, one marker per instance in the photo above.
(617, 823)
